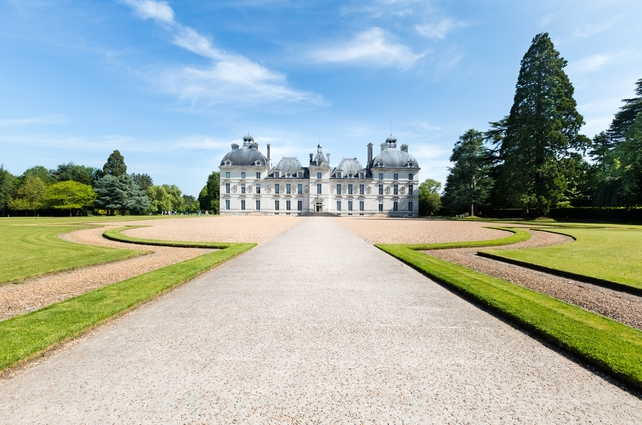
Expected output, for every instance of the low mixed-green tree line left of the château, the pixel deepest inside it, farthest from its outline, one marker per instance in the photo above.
(73, 189)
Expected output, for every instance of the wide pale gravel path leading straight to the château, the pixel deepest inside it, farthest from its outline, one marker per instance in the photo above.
(313, 326)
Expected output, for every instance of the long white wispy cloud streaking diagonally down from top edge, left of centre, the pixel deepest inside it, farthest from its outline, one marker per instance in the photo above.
(230, 78)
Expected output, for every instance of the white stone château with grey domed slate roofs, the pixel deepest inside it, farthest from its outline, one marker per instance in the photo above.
(387, 185)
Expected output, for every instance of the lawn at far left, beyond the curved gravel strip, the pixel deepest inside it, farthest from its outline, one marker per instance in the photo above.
(32, 249)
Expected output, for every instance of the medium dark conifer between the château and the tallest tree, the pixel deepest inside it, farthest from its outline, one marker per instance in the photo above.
(468, 183)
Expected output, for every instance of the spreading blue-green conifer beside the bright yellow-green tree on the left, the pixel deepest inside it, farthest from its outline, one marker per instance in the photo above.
(120, 194)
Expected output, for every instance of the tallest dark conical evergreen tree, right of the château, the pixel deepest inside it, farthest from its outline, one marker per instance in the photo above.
(541, 128)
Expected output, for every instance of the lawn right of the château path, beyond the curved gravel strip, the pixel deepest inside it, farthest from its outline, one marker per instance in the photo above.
(609, 255)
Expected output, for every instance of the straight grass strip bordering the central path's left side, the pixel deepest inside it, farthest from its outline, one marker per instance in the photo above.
(30, 335)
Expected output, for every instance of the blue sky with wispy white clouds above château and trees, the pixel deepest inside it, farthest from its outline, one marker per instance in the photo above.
(172, 84)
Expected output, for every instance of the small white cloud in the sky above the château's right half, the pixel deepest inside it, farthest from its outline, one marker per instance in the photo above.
(371, 47)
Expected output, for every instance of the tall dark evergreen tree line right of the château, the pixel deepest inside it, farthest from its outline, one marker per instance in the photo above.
(535, 159)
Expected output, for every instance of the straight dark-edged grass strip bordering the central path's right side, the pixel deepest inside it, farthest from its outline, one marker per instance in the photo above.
(612, 346)
